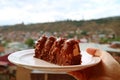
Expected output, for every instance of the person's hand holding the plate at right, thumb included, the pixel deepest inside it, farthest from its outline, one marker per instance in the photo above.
(107, 69)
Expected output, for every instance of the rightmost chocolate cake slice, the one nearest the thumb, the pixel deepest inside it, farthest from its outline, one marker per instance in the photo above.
(70, 53)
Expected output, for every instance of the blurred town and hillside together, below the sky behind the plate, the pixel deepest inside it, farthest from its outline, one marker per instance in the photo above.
(104, 32)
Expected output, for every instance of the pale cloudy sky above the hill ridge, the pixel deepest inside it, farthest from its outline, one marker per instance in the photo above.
(39, 11)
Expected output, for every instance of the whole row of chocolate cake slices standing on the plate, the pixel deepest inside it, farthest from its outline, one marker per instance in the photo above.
(59, 51)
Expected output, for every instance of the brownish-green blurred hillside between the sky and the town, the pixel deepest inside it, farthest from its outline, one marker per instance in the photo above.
(105, 25)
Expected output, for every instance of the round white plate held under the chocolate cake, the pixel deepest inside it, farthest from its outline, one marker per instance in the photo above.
(25, 59)
